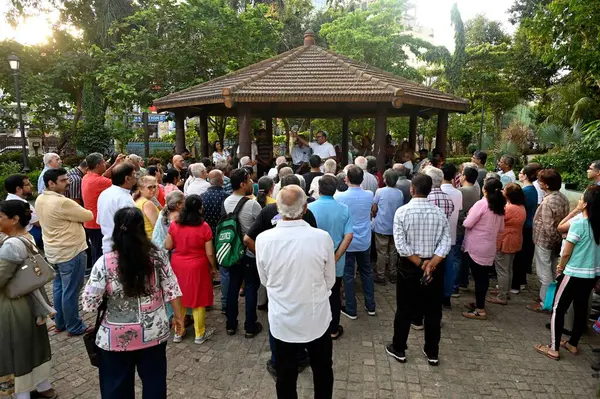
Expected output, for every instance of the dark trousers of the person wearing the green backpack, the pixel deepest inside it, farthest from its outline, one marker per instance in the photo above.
(238, 273)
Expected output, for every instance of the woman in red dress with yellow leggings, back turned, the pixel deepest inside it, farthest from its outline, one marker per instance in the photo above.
(194, 263)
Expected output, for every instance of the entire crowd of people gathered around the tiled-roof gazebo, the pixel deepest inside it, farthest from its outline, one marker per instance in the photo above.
(155, 242)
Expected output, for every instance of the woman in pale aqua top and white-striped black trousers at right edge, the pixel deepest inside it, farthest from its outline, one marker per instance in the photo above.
(580, 266)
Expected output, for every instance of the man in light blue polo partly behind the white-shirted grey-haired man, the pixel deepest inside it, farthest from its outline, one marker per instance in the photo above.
(334, 218)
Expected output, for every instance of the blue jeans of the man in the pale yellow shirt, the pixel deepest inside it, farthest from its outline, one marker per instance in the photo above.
(67, 284)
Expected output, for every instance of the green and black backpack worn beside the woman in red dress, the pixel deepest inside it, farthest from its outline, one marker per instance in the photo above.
(229, 241)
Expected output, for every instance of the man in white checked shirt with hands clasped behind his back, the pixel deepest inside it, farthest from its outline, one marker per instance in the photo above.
(422, 238)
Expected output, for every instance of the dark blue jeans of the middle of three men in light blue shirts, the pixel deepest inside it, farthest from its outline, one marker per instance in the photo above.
(365, 270)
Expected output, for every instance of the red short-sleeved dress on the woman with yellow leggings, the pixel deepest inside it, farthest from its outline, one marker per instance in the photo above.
(191, 265)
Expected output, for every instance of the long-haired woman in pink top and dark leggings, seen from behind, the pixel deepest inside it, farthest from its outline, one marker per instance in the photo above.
(482, 226)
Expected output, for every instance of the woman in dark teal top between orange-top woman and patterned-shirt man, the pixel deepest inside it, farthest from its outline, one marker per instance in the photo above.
(524, 258)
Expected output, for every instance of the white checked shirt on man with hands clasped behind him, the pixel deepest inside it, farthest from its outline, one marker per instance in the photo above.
(422, 229)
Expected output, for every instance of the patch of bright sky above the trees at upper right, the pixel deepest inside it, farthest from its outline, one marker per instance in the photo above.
(435, 14)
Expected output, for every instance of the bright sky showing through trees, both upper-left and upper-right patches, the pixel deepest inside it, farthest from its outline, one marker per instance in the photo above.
(434, 14)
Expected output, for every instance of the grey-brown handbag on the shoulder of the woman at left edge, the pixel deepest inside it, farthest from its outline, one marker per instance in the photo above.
(31, 275)
